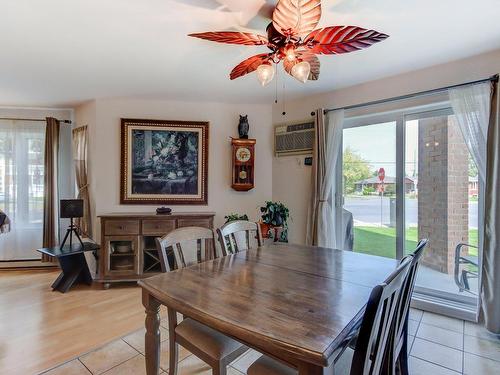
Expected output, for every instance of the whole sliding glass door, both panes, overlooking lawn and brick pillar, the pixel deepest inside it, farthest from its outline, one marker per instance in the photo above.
(405, 176)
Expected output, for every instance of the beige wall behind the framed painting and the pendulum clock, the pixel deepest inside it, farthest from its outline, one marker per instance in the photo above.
(103, 117)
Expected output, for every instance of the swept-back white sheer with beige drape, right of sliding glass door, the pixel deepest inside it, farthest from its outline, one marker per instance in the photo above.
(476, 110)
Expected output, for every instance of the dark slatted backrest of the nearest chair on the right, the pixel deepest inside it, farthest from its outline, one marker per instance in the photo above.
(377, 323)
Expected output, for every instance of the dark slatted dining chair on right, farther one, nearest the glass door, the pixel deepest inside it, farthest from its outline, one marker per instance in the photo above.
(397, 355)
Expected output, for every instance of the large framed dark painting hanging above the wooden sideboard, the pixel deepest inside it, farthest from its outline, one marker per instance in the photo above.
(164, 162)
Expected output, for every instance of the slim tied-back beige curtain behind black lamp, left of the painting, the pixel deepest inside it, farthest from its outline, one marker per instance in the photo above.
(80, 146)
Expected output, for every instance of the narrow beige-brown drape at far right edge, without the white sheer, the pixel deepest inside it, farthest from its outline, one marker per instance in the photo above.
(490, 273)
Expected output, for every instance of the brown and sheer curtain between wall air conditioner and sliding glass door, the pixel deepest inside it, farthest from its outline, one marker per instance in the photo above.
(321, 226)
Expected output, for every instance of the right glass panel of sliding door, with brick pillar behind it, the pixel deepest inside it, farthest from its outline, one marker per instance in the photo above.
(444, 207)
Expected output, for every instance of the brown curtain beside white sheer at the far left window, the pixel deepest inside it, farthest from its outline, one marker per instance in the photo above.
(51, 199)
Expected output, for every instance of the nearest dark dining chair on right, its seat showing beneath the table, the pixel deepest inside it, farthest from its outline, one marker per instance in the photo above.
(369, 353)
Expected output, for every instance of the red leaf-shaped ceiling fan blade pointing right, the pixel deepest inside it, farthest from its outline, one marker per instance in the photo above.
(341, 39)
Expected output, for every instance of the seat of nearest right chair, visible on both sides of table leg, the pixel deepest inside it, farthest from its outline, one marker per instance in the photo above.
(268, 366)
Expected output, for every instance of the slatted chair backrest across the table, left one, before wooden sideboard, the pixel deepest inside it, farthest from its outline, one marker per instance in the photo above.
(190, 245)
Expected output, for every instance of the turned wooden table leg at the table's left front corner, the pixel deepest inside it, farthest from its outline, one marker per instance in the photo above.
(152, 337)
